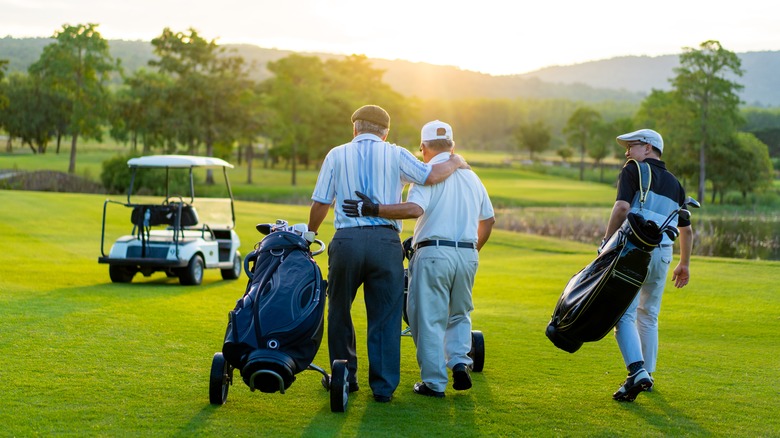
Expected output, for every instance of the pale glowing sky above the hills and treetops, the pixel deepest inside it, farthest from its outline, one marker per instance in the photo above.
(489, 36)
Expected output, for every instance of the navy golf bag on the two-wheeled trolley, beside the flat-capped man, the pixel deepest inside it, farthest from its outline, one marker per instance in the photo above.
(276, 328)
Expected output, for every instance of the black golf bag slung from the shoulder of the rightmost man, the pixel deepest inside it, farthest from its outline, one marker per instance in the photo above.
(597, 296)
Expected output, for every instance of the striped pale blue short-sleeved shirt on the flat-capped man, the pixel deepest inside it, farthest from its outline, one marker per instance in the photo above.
(371, 166)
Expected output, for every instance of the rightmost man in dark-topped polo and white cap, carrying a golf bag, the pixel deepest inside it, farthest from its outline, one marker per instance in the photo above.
(637, 330)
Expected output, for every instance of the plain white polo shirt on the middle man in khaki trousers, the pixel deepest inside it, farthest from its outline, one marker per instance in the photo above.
(453, 208)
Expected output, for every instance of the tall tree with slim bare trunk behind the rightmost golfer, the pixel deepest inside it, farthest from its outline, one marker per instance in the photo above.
(702, 83)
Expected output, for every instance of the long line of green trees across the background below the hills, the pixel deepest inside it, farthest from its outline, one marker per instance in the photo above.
(197, 97)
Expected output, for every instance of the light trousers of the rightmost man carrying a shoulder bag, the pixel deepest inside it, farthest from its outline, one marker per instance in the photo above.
(637, 330)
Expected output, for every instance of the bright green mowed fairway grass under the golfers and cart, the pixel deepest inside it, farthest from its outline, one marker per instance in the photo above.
(80, 356)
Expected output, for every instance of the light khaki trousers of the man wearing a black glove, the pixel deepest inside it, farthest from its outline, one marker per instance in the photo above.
(439, 309)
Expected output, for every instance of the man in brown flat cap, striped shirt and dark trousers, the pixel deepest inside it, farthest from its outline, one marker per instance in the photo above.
(367, 250)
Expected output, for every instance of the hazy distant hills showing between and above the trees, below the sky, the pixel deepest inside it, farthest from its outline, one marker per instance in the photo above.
(627, 78)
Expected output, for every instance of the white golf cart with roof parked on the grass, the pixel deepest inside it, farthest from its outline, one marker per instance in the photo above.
(170, 235)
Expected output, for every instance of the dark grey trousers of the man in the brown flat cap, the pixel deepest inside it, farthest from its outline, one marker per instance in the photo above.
(372, 257)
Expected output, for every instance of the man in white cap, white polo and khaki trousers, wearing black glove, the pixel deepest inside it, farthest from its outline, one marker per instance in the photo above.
(455, 219)
